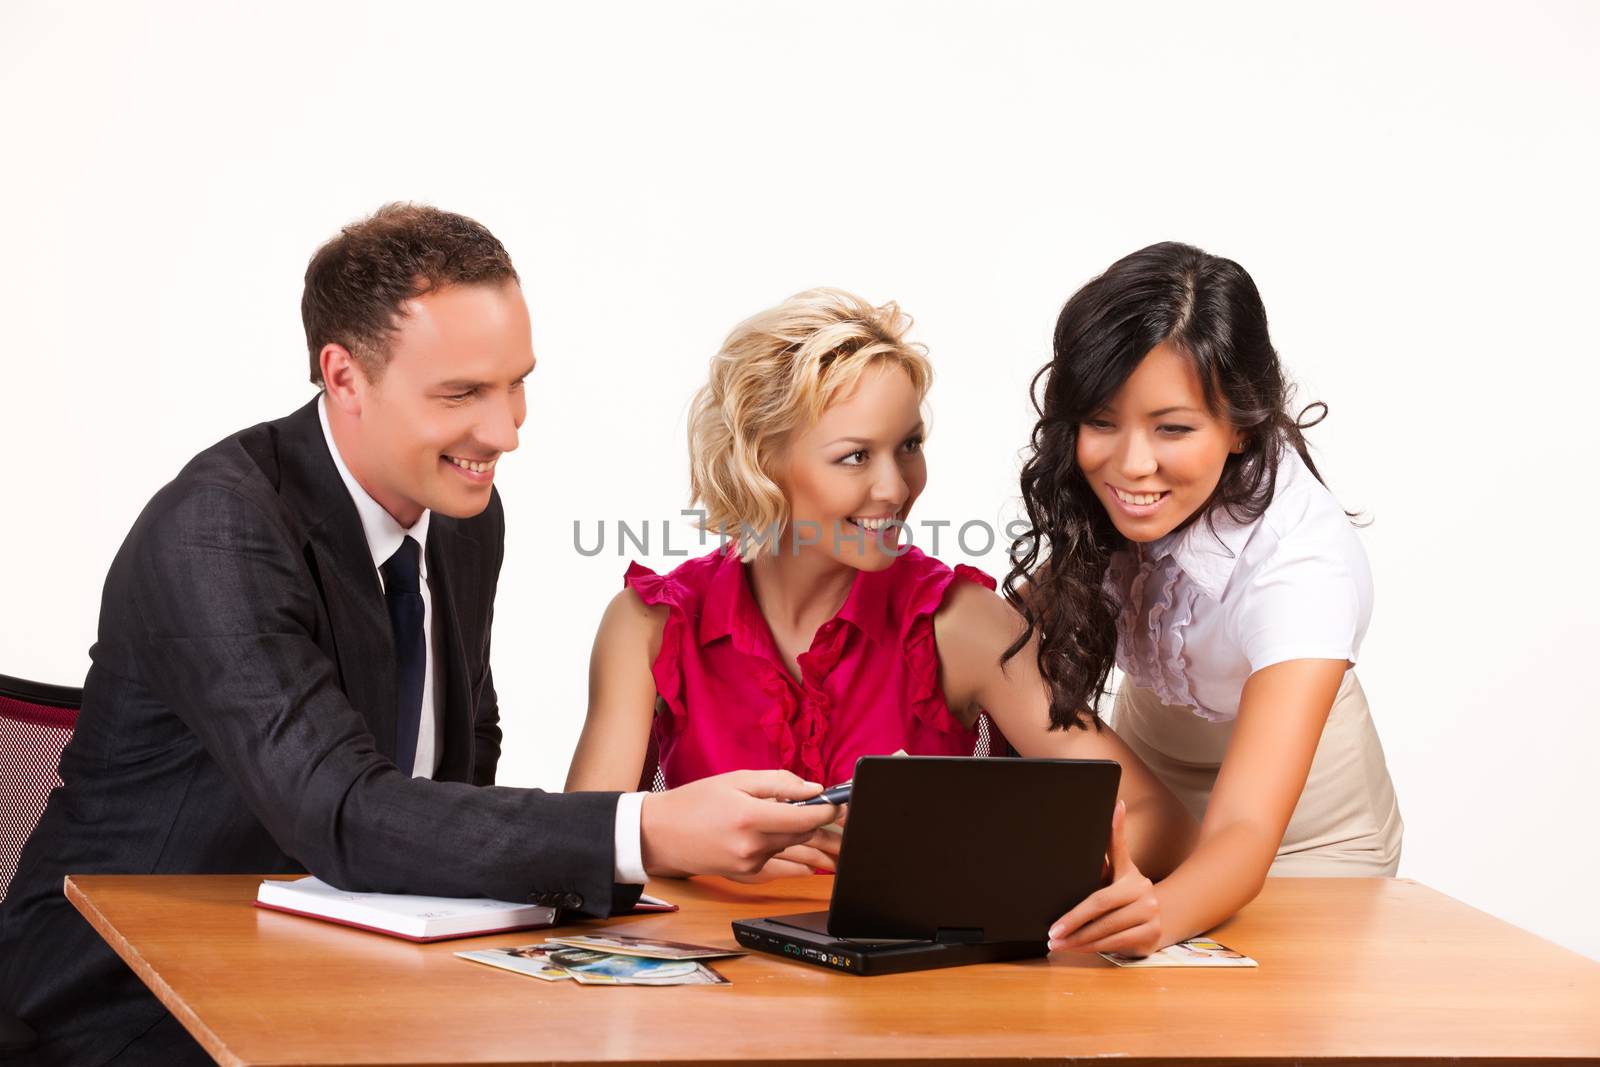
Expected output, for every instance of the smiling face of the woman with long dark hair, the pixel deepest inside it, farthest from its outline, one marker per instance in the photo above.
(1154, 455)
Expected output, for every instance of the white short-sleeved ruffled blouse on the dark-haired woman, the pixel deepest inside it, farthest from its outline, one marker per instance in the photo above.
(1209, 605)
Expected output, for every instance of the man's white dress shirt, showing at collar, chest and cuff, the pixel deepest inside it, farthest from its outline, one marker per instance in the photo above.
(383, 538)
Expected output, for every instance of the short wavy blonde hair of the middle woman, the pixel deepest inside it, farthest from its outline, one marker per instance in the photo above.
(775, 375)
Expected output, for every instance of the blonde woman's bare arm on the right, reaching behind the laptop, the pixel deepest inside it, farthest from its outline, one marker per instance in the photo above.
(974, 628)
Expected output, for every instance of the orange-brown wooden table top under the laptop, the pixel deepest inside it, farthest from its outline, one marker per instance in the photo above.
(1351, 970)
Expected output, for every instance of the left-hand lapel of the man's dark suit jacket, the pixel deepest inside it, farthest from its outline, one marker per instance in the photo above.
(343, 565)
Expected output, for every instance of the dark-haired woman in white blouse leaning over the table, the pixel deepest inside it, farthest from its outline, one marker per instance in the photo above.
(1182, 532)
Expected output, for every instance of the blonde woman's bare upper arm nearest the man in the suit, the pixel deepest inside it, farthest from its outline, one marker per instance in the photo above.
(622, 698)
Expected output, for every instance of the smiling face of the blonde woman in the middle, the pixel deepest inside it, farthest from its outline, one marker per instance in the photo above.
(852, 479)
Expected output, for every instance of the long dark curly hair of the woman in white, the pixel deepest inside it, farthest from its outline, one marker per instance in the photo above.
(1207, 308)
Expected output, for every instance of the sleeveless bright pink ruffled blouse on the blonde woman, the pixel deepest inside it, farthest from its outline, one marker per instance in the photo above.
(870, 684)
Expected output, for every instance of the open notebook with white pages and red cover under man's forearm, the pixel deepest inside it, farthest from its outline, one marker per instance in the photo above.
(414, 917)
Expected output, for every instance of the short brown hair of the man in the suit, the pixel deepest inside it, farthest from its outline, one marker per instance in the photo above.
(358, 282)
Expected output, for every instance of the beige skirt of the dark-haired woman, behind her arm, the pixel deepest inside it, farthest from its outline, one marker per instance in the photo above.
(1346, 823)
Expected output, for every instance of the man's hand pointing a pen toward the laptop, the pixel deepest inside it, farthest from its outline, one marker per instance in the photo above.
(730, 825)
